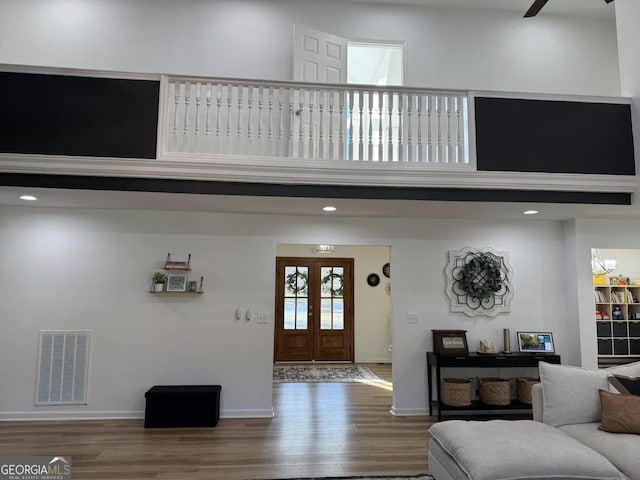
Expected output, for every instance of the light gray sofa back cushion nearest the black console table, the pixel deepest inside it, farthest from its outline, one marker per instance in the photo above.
(570, 394)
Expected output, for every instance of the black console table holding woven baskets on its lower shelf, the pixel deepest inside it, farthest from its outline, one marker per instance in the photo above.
(474, 360)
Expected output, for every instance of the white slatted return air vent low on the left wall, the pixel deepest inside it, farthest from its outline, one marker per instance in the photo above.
(63, 367)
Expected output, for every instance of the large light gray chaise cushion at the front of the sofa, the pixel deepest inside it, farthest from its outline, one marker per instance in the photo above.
(518, 449)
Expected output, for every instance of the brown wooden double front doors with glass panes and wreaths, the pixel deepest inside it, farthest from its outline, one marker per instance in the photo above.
(314, 309)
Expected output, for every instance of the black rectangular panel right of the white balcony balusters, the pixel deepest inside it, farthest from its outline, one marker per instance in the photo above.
(516, 135)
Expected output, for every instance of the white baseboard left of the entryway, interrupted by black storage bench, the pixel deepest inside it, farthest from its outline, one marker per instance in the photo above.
(117, 415)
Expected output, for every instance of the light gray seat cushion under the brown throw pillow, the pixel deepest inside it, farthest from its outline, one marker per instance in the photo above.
(622, 449)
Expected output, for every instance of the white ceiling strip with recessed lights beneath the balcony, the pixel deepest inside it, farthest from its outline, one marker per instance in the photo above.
(307, 206)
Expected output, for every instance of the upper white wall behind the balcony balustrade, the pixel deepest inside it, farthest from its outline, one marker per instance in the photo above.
(447, 48)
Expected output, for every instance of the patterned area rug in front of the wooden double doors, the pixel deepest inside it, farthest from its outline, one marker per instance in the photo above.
(324, 374)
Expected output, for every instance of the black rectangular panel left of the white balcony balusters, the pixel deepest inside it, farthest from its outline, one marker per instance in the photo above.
(79, 116)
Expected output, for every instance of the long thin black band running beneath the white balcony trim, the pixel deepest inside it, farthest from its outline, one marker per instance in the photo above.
(307, 191)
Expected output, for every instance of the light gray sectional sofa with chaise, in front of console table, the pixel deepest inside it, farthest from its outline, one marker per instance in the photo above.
(561, 443)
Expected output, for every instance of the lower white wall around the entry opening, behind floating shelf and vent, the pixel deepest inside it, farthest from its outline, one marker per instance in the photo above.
(90, 269)
